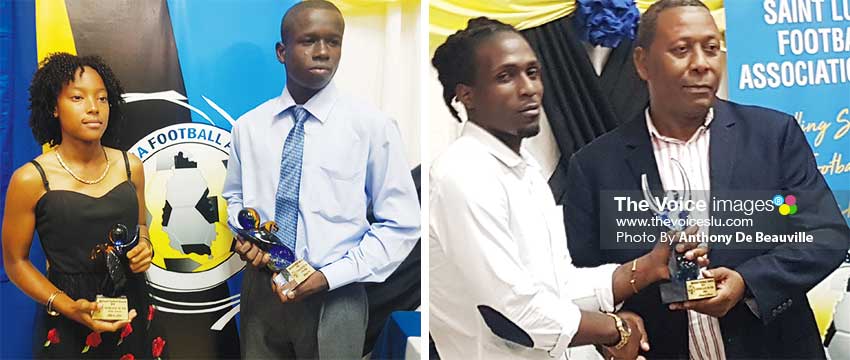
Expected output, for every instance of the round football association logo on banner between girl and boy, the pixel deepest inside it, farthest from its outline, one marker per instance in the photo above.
(185, 165)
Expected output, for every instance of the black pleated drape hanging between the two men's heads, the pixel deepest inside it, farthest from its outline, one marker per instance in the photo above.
(579, 104)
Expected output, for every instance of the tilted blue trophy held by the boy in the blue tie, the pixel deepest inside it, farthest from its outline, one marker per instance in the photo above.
(289, 272)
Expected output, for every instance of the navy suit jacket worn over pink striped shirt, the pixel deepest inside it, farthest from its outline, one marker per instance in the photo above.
(751, 148)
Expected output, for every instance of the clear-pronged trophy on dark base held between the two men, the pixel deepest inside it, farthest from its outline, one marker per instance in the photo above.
(684, 283)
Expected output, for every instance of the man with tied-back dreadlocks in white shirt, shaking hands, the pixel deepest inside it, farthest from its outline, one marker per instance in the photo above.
(501, 280)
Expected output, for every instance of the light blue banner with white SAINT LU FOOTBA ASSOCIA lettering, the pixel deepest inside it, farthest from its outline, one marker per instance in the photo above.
(794, 56)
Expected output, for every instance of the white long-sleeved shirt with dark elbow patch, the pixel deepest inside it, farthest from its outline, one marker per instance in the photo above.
(497, 240)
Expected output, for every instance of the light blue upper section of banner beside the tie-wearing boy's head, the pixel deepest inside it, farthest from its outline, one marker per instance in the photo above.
(227, 54)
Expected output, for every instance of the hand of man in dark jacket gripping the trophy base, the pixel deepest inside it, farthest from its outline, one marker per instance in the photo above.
(730, 290)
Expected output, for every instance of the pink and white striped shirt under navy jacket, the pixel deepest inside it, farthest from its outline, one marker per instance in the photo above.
(704, 338)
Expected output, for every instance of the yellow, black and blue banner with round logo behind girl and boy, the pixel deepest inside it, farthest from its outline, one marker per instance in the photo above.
(189, 68)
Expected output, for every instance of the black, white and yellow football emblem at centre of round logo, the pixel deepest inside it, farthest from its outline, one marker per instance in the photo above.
(186, 213)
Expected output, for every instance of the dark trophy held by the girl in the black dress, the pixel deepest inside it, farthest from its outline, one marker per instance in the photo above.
(114, 254)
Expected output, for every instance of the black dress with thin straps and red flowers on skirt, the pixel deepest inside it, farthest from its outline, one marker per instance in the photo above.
(70, 225)
